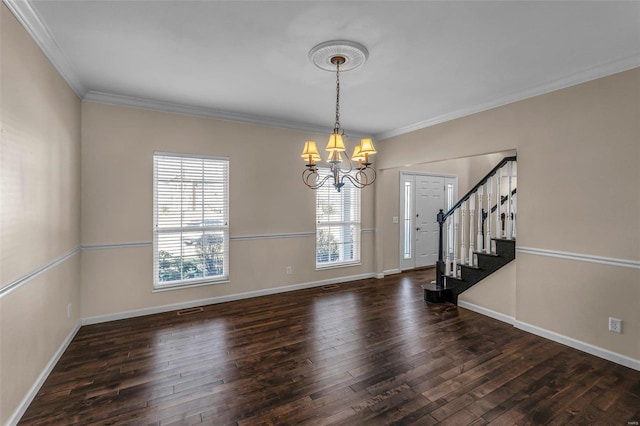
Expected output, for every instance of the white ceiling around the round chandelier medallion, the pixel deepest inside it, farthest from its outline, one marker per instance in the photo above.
(247, 60)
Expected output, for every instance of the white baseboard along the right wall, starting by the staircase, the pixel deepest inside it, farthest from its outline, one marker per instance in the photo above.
(565, 340)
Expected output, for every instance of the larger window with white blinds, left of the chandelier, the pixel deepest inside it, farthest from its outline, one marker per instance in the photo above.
(190, 220)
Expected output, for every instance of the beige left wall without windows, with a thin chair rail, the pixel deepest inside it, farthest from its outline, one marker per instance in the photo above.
(40, 212)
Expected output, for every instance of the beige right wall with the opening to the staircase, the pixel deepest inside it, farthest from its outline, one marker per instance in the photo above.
(578, 178)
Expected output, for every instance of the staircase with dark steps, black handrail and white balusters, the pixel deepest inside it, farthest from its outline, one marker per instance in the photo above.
(476, 242)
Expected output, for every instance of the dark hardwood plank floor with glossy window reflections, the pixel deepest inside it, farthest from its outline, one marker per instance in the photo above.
(367, 352)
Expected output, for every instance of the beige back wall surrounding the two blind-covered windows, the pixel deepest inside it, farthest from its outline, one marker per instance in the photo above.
(266, 197)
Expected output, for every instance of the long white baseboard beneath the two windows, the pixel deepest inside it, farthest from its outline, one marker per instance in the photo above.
(220, 299)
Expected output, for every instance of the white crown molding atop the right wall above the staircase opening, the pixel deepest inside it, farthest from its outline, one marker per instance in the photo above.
(579, 77)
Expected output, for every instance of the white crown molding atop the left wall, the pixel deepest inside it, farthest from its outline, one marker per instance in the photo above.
(27, 16)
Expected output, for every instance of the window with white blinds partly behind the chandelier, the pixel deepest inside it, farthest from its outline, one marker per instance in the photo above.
(337, 224)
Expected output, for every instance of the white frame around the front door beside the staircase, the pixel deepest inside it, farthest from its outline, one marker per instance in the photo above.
(402, 262)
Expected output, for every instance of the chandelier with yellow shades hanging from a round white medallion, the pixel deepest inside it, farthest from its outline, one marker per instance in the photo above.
(339, 56)
